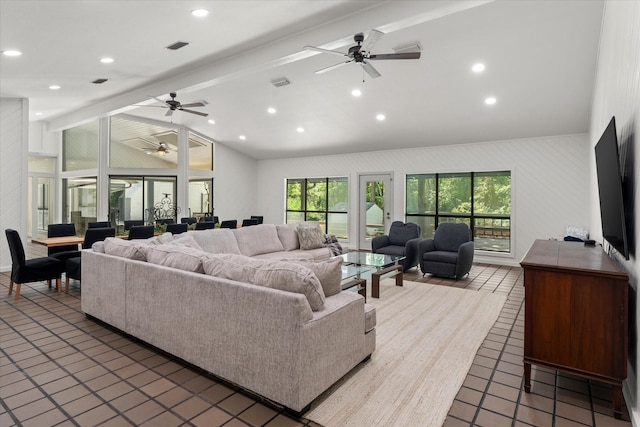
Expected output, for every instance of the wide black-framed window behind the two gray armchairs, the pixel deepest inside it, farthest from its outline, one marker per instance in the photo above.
(482, 200)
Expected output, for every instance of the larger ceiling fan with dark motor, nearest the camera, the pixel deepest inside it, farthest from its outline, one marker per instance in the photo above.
(361, 54)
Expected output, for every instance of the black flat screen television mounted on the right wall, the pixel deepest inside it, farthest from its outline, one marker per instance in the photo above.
(610, 189)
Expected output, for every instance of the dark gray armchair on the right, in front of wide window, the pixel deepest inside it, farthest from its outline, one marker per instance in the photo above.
(449, 253)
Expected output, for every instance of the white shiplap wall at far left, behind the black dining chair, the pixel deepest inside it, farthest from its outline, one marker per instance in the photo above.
(13, 171)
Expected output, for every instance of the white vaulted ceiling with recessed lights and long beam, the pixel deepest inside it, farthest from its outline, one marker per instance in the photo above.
(540, 59)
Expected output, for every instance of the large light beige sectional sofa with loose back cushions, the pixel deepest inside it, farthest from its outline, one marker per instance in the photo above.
(287, 337)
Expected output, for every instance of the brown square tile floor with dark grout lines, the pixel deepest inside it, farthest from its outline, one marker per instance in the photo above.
(59, 368)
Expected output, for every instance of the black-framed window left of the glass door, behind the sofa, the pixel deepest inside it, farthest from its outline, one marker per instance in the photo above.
(319, 199)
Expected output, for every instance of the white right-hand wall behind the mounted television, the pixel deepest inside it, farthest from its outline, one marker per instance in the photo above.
(617, 93)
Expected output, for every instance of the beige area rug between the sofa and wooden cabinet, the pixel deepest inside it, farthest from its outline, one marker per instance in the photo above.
(427, 337)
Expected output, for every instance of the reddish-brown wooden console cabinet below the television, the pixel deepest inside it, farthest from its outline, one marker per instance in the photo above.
(576, 304)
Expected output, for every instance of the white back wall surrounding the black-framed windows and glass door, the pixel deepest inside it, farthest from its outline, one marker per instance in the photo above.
(548, 181)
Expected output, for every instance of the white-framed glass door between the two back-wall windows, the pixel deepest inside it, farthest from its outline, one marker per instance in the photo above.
(375, 207)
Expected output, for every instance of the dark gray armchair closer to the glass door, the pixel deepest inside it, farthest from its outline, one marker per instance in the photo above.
(402, 240)
